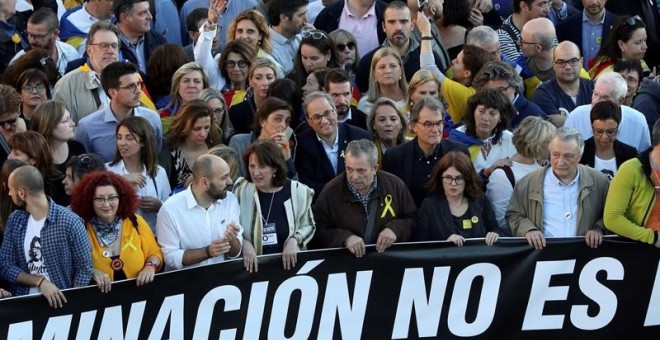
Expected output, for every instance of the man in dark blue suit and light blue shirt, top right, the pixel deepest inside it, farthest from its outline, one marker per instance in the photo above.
(588, 29)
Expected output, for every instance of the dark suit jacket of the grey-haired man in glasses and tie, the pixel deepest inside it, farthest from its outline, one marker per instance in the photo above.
(313, 166)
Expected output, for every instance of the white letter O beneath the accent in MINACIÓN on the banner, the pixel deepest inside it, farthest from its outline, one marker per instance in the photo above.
(309, 290)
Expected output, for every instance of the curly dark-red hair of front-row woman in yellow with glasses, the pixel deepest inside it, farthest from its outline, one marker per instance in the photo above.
(82, 200)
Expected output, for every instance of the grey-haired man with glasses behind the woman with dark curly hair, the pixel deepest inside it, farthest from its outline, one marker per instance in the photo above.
(500, 75)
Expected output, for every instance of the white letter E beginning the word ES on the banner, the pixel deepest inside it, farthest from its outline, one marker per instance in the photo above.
(542, 292)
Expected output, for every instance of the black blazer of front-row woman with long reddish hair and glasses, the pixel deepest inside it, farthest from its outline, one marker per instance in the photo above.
(436, 223)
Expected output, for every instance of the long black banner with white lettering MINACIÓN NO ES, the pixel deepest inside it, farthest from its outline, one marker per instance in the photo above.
(435, 289)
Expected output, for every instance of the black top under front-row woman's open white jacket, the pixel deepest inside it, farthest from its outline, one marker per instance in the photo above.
(275, 213)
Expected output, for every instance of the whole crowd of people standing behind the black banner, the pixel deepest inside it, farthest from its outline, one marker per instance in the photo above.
(141, 136)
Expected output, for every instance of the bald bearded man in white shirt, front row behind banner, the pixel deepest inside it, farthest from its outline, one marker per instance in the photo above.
(198, 226)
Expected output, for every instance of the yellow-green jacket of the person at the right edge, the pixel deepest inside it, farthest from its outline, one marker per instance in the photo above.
(630, 200)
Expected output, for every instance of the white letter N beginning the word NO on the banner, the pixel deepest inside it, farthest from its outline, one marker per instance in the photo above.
(413, 295)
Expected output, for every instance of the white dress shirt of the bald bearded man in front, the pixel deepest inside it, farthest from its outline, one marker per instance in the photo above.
(183, 224)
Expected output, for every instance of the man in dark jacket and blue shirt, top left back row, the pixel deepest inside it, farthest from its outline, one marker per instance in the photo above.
(138, 41)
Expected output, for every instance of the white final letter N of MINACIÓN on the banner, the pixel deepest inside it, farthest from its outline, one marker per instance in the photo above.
(337, 302)
